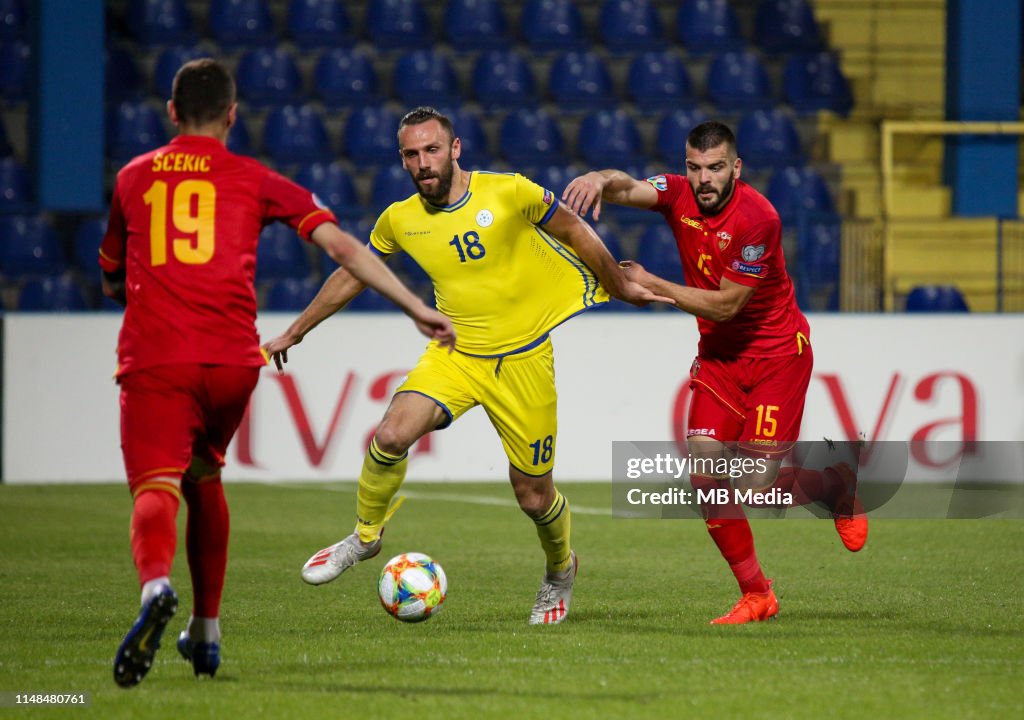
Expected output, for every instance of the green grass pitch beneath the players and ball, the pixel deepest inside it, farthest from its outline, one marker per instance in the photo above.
(926, 622)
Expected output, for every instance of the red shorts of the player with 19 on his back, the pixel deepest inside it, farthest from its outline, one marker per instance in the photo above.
(173, 413)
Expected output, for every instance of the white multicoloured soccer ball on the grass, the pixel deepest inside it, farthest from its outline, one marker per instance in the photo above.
(412, 587)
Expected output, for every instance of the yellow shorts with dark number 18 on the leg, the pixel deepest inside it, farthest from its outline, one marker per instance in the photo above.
(517, 392)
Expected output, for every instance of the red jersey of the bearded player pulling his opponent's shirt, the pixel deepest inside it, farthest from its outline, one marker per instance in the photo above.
(743, 243)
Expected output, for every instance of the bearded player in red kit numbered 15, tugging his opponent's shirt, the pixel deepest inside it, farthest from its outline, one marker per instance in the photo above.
(754, 361)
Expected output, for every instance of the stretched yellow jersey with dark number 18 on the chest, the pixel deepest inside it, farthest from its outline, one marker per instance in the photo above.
(502, 279)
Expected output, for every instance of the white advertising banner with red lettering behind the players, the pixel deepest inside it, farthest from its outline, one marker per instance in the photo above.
(621, 377)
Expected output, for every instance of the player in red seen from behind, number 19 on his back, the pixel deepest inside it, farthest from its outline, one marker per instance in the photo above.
(181, 255)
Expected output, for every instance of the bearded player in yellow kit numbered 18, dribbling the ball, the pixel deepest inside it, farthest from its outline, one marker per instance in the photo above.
(508, 264)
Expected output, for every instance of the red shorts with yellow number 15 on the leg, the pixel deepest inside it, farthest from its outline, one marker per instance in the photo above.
(755, 402)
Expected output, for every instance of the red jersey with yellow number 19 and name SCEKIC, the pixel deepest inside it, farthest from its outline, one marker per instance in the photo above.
(185, 224)
